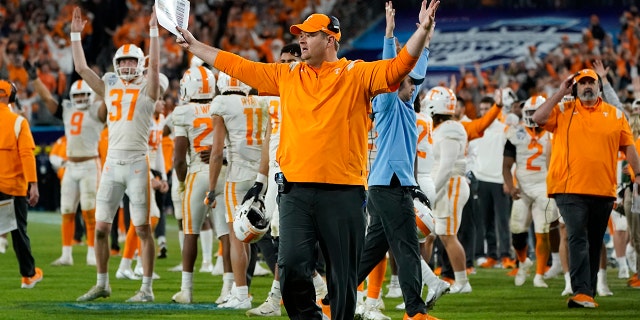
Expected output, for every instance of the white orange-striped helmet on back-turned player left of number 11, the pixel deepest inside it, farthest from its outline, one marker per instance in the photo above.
(198, 83)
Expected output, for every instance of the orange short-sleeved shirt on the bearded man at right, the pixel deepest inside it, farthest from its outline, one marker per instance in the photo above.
(585, 149)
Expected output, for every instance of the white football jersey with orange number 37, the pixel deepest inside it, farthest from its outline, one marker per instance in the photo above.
(129, 112)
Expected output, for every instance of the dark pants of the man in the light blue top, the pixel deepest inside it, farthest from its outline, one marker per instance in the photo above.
(392, 224)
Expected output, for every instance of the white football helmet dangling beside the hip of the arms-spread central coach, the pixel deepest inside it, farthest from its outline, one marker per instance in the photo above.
(250, 222)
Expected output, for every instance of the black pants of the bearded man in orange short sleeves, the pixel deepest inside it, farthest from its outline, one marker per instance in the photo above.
(586, 219)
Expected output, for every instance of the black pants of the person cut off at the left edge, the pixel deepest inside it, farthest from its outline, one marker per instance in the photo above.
(20, 238)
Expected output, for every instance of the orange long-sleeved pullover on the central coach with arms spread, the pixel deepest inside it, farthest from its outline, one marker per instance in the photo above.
(323, 135)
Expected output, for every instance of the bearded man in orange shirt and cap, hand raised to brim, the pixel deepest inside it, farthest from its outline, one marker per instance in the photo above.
(587, 133)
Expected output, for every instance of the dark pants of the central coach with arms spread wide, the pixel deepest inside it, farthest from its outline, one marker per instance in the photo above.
(333, 216)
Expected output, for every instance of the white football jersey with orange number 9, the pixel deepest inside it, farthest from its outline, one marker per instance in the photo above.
(82, 129)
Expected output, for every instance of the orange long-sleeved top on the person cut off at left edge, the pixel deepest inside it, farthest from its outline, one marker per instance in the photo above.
(19, 161)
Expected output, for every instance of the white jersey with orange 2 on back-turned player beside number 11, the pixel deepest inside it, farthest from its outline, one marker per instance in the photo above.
(193, 121)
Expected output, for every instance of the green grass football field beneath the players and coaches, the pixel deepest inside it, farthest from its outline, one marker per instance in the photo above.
(494, 296)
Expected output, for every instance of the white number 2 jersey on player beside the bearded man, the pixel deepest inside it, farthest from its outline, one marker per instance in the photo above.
(531, 154)
